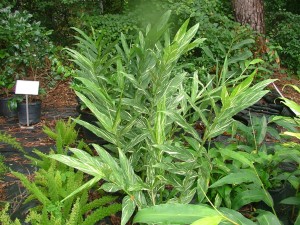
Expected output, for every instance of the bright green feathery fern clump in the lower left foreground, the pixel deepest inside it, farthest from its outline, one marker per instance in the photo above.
(51, 188)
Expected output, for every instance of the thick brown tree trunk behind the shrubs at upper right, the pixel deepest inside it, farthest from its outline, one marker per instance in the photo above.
(250, 12)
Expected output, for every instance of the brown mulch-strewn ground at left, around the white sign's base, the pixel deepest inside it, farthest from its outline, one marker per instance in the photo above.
(59, 103)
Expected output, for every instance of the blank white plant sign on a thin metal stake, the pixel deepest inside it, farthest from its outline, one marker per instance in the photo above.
(26, 87)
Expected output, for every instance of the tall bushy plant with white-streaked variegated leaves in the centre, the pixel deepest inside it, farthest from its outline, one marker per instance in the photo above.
(155, 155)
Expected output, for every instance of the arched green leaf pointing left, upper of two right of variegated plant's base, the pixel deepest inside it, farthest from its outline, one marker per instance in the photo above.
(239, 177)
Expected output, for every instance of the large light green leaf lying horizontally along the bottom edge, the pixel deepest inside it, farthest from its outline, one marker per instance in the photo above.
(174, 214)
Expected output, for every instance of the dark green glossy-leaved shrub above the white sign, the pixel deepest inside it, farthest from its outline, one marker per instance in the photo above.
(24, 45)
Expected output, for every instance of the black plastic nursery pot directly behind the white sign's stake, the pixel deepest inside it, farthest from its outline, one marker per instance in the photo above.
(34, 112)
